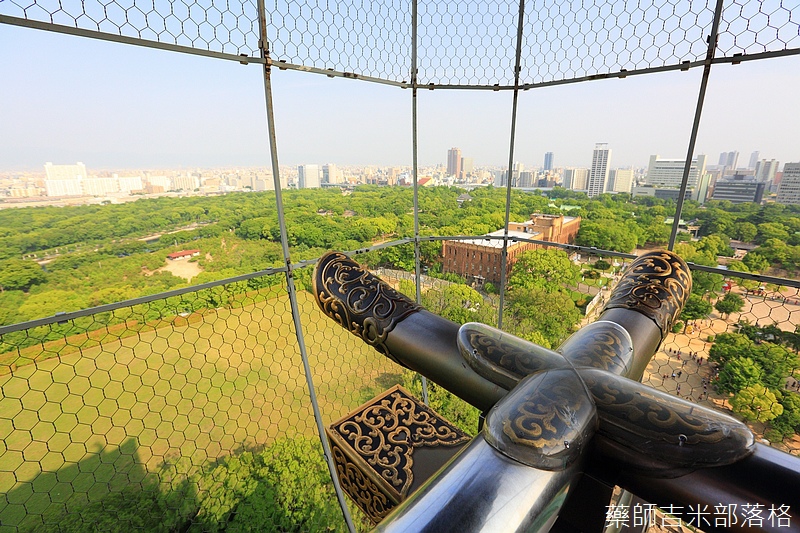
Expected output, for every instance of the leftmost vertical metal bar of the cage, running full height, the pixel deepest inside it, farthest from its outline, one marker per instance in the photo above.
(298, 327)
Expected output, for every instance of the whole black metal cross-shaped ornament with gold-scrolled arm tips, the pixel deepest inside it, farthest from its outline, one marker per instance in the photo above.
(586, 395)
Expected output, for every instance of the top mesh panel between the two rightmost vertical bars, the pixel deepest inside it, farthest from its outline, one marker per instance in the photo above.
(574, 39)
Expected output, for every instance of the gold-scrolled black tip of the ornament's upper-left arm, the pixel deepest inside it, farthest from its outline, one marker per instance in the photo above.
(359, 301)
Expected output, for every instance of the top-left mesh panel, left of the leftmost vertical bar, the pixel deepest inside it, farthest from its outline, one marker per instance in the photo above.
(226, 26)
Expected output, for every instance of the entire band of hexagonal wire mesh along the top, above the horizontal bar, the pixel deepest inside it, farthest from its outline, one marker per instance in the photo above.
(459, 43)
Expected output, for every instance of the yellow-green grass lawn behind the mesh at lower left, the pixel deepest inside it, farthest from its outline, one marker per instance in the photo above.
(79, 425)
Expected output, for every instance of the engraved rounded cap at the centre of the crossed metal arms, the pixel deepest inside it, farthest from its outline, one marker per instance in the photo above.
(544, 421)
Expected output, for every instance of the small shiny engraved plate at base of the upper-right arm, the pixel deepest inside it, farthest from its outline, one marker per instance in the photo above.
(604, 345)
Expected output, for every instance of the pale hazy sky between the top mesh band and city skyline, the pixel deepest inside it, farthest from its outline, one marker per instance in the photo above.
(65, 99)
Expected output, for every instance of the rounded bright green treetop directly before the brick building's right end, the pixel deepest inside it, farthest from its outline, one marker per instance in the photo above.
(544, 269)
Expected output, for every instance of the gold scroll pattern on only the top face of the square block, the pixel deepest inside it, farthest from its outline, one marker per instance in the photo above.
(385, 433)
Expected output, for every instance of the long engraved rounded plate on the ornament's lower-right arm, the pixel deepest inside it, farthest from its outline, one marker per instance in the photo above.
(660, 426)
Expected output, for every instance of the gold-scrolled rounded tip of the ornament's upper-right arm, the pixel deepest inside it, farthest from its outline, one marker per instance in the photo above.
(657, 284)
